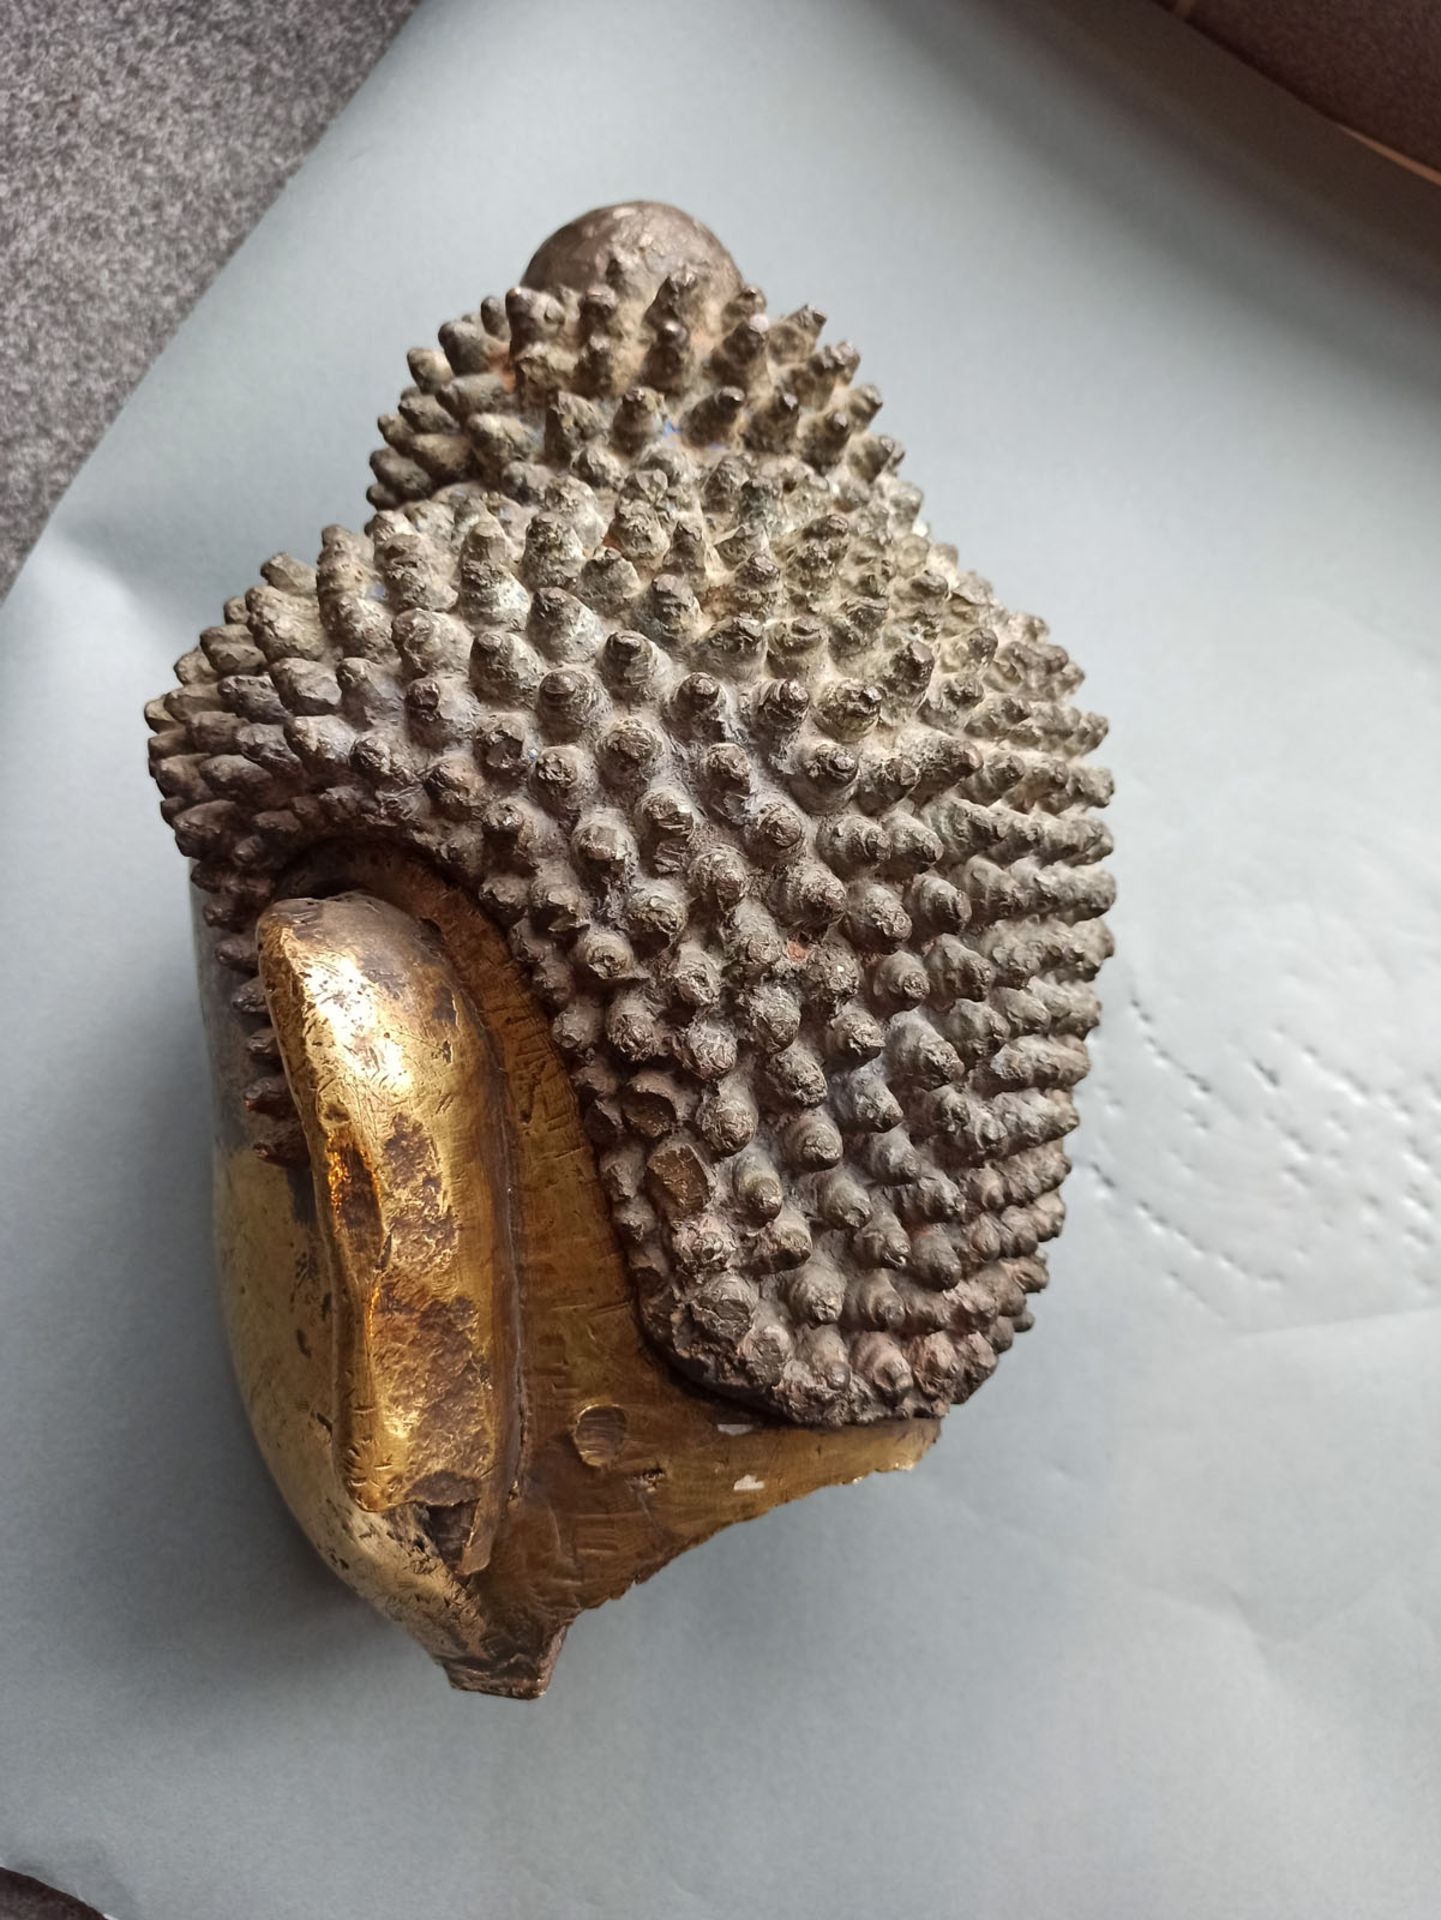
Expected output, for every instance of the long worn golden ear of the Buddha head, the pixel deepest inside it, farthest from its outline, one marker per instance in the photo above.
(404, 1118)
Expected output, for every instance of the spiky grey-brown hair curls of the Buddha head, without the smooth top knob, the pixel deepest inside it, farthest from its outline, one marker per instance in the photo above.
(786, 817)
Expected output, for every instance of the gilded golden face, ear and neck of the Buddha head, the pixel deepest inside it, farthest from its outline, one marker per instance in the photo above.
(488, 1485)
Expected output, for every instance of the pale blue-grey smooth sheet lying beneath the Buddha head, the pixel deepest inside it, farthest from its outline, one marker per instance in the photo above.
(1158, 1629)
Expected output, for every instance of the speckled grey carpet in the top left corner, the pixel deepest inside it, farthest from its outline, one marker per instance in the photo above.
(139, 143)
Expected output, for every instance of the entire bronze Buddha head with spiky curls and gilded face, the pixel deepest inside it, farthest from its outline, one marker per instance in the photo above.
(651, 898)
